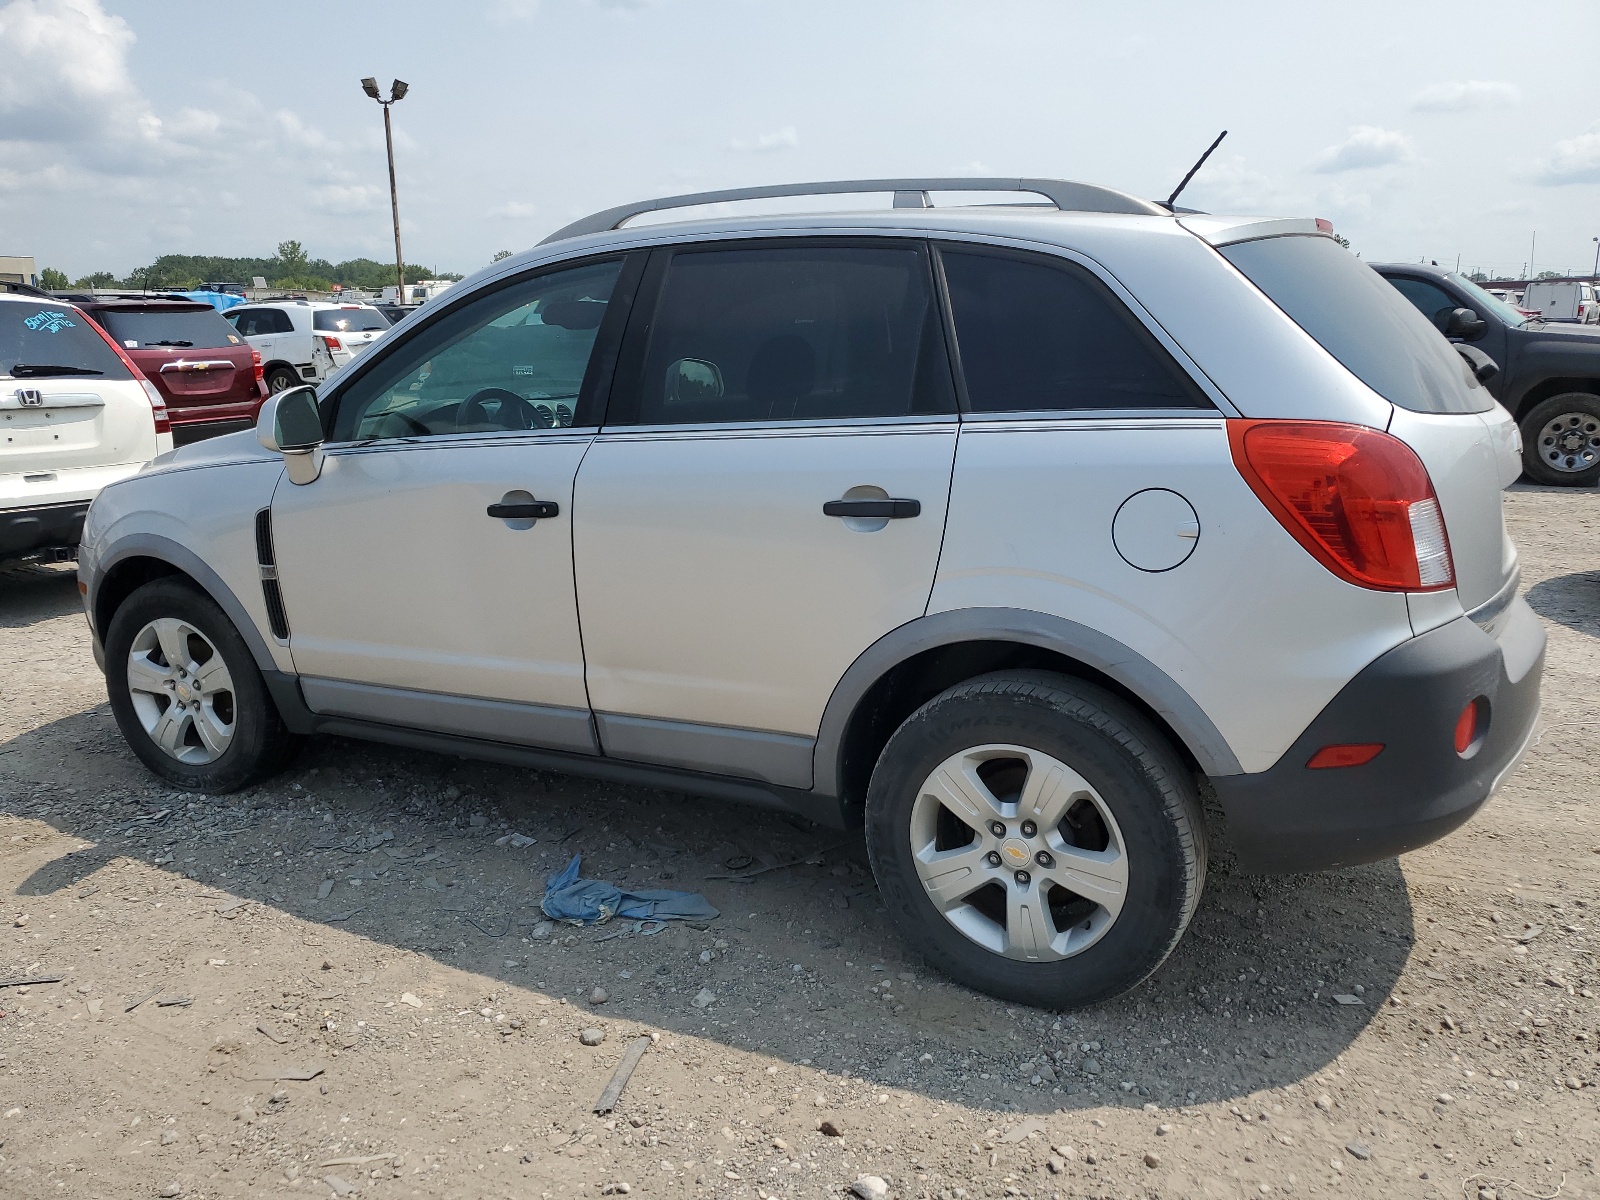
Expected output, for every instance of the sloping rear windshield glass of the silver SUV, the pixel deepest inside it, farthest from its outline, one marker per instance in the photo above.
(1361, 321)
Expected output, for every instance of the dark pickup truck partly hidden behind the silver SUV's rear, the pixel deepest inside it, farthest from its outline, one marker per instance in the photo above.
(1548, 375)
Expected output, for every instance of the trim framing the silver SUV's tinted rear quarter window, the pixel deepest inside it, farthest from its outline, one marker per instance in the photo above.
(1054, 257)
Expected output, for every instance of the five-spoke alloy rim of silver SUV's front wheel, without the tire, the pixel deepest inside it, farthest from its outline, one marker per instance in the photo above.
(182, 692)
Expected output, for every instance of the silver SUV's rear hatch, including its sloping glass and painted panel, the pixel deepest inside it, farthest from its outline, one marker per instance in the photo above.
(1462, 436)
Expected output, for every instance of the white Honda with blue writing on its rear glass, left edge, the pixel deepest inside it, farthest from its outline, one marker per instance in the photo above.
(74, 417)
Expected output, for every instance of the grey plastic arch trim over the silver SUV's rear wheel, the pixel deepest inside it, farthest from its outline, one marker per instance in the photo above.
(1023, 626)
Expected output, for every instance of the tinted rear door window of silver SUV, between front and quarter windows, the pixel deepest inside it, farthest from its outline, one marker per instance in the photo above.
(801, 332)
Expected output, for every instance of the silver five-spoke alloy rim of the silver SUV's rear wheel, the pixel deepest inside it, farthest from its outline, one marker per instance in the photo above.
(1020, 852)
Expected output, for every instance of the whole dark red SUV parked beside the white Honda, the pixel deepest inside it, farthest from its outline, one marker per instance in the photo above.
(209, 375)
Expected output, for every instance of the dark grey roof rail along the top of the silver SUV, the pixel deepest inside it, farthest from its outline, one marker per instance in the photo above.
(1065, 194)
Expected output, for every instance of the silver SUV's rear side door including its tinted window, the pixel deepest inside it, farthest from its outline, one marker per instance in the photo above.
(766, 500)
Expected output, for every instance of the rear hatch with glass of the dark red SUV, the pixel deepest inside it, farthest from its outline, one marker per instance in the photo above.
(188, 351)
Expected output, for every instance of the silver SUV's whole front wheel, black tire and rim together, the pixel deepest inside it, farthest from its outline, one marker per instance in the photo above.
(228, 732)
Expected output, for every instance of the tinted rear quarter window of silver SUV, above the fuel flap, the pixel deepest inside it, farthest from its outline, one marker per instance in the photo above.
(1044, 335)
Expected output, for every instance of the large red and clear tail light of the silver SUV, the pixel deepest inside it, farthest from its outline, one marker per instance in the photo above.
(1356, 498)
